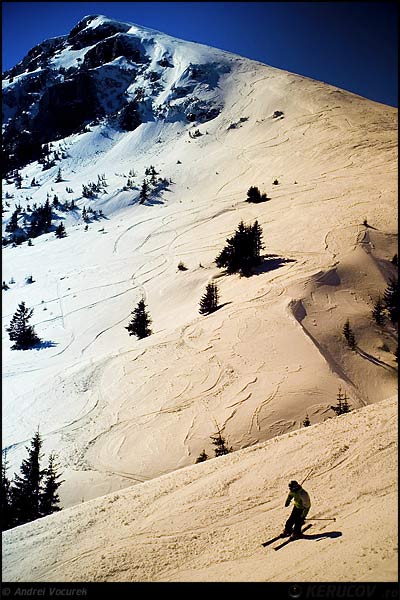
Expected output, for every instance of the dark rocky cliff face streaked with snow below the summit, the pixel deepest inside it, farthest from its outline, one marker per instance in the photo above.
(101, 69)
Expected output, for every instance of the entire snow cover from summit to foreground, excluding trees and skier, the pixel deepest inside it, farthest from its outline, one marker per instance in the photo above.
(122, 412)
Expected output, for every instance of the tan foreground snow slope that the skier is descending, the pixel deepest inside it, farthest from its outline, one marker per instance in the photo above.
(207, 522)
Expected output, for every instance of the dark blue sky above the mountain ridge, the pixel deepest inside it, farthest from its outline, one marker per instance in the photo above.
(352, 45)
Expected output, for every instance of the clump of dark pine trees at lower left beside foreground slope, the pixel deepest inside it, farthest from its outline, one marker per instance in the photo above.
(34, 492)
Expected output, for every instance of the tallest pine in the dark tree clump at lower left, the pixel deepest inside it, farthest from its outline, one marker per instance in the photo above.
(25, 489)
